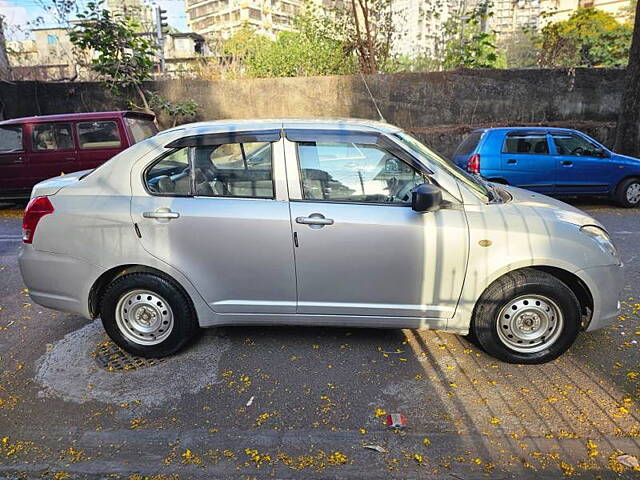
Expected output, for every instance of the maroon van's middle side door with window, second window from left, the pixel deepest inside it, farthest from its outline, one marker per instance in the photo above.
(53, 151)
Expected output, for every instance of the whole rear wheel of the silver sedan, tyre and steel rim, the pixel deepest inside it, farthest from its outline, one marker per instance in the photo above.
(147, 315)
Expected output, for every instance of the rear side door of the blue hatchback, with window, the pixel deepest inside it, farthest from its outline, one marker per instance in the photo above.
(526, 161)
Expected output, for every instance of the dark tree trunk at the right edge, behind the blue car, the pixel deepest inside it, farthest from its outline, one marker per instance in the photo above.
(628, 128)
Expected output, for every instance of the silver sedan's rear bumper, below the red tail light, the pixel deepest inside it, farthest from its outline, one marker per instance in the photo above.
(59, 282)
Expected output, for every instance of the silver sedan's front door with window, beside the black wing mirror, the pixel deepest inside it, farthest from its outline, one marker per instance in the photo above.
(360, 250)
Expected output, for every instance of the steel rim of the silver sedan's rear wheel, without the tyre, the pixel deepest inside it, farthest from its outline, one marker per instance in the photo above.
(144, 317)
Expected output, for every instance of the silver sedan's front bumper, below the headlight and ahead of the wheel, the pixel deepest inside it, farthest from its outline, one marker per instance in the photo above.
(605, 284)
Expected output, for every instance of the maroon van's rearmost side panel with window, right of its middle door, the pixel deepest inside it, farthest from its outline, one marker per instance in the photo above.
(98, 141)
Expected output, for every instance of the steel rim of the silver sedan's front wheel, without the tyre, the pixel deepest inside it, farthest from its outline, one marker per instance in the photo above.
(530, 323)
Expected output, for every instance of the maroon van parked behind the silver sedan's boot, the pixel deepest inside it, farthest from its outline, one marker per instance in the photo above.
(33, 149)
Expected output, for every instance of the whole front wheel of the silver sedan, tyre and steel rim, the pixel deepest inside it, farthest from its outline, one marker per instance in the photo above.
(519, 288)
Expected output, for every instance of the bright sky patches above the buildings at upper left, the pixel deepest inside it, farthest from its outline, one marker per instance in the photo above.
(18, 12)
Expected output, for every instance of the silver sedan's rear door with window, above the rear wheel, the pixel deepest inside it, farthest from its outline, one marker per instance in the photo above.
(221, 217)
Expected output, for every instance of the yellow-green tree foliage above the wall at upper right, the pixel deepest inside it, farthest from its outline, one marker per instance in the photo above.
(589, 38)
